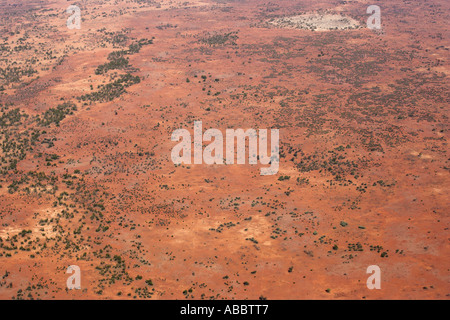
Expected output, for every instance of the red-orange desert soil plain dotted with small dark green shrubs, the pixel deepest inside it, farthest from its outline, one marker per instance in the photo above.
(364, 172)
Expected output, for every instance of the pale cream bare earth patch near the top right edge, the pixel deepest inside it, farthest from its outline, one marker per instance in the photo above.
(315, 21)
